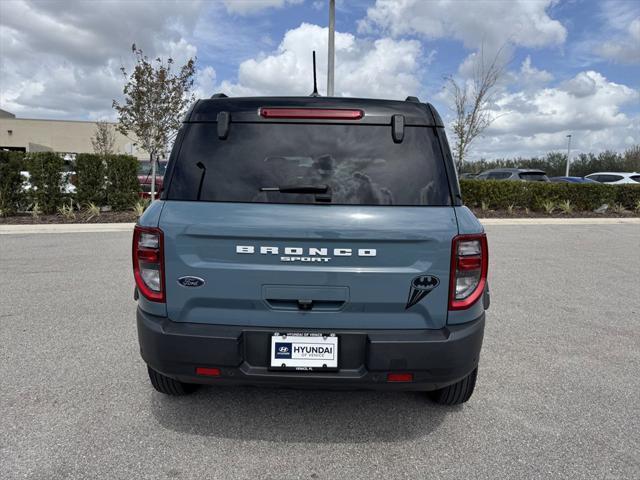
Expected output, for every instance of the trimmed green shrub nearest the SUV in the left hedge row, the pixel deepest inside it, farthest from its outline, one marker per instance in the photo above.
(122, 181)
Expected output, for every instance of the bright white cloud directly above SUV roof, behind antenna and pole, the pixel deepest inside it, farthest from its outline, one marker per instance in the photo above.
(382, 68)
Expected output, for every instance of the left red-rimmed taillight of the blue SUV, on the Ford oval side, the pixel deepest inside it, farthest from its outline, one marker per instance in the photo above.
(148, 262)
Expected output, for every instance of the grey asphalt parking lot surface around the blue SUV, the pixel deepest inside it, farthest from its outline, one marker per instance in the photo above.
(557, 396)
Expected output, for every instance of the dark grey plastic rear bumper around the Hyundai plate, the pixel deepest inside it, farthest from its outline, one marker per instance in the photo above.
(436, 358)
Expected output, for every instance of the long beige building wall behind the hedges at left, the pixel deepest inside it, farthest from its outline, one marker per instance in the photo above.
(64, 136)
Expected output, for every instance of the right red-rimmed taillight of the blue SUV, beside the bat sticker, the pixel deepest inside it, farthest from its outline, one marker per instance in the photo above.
(469, 265)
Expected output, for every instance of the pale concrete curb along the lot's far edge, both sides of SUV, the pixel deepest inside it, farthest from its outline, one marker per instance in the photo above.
(127, 227)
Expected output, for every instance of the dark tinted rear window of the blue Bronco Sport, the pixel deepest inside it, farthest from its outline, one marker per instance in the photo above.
(360, 164)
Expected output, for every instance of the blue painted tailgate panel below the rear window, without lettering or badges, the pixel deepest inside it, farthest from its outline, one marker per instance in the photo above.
(410, 241)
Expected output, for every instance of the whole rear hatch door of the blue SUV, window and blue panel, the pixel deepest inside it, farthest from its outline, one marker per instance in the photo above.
(370, 251)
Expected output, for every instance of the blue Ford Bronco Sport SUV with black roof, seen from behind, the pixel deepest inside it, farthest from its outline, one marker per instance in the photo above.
(311, 242)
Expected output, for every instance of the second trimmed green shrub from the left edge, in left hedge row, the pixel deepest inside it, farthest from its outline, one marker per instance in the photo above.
(45, 169)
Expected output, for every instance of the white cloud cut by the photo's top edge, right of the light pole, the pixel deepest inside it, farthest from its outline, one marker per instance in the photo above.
(493, 23)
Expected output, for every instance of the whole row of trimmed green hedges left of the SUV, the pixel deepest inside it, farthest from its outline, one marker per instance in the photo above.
(110, 180)
